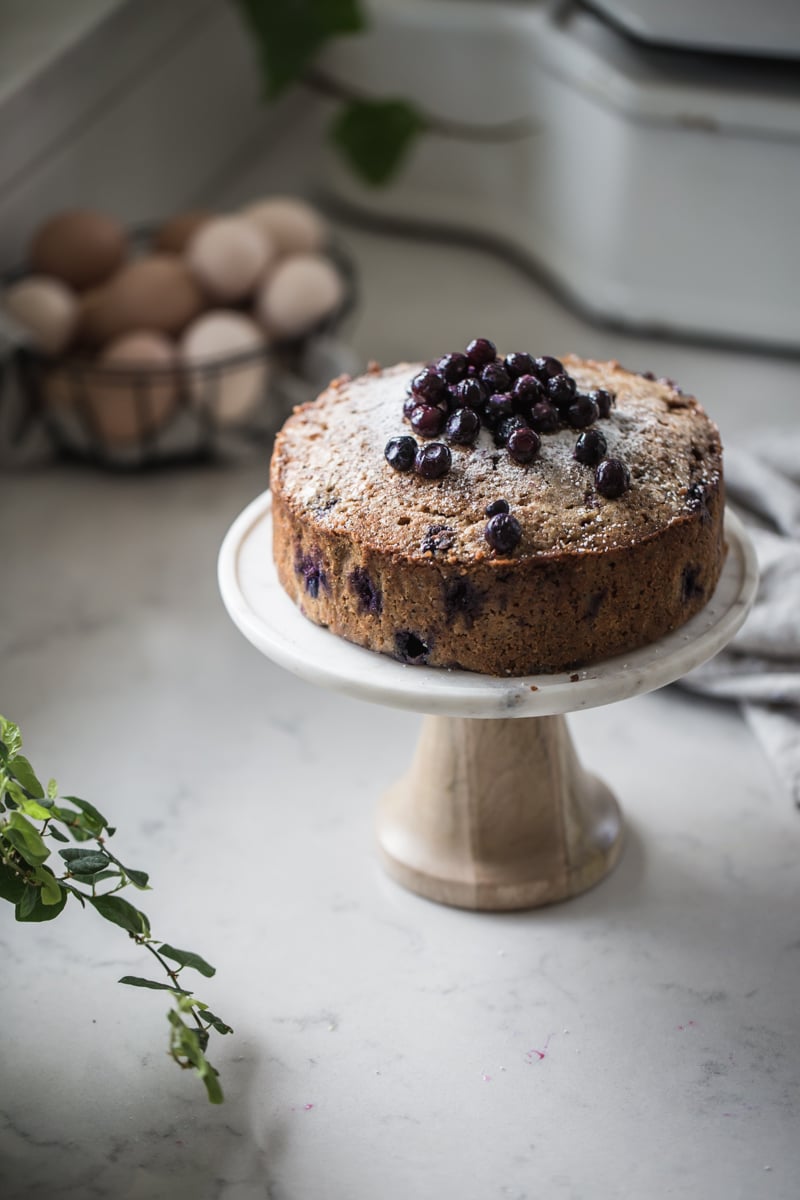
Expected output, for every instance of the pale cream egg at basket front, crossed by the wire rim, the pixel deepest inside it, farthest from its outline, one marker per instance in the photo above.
(232, 392)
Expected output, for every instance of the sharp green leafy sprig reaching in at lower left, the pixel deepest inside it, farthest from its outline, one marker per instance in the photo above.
(32, 815)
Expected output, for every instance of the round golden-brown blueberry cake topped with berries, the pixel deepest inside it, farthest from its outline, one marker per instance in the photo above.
(506, 515)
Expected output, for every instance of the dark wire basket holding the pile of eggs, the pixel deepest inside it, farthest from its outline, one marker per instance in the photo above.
(128, 418)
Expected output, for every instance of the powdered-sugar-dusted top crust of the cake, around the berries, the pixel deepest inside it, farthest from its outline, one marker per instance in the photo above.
(340, 475)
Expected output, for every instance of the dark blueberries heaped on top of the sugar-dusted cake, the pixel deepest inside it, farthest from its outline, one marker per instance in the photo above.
(518, 399)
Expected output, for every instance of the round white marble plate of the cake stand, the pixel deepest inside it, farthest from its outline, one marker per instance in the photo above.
(264, 614)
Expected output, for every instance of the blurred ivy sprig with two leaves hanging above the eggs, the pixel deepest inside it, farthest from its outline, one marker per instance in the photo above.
(374, 135)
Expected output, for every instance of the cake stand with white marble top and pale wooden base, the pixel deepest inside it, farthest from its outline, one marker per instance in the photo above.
(497, 812)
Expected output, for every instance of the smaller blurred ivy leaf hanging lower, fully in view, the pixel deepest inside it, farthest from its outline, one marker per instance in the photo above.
(375, 136)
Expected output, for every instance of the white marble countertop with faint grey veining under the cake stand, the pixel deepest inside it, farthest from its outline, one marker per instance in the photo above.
(641, 1041)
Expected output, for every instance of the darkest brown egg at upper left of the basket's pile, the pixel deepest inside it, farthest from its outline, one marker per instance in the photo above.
(80, 248)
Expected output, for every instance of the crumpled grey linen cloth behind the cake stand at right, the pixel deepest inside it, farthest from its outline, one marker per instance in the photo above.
(761, 668)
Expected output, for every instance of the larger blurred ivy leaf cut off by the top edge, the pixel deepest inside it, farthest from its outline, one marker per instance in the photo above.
(290, 34)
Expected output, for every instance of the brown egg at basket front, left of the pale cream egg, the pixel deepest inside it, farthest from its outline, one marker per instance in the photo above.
(136, 391)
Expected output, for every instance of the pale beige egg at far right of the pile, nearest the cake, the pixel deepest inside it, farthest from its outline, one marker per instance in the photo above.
(302, 292)
